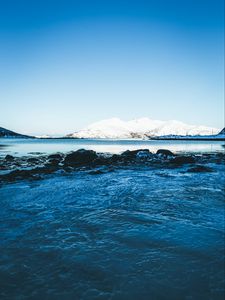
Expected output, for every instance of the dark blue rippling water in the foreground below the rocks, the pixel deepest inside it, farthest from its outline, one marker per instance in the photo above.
(127, 234)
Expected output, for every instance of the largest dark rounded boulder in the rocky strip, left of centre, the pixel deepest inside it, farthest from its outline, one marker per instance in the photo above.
(80, 157)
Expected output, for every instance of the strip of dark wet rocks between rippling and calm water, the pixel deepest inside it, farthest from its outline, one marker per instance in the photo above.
(37, 166)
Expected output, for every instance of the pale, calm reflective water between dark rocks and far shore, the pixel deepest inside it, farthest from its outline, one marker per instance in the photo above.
(25, 146)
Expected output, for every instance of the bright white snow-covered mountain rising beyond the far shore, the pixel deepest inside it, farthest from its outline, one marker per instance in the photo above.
(140, 128)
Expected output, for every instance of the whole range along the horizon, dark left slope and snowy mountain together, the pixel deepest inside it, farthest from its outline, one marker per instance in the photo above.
(143, 128)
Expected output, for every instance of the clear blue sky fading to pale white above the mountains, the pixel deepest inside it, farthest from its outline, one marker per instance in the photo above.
(66, 64)
